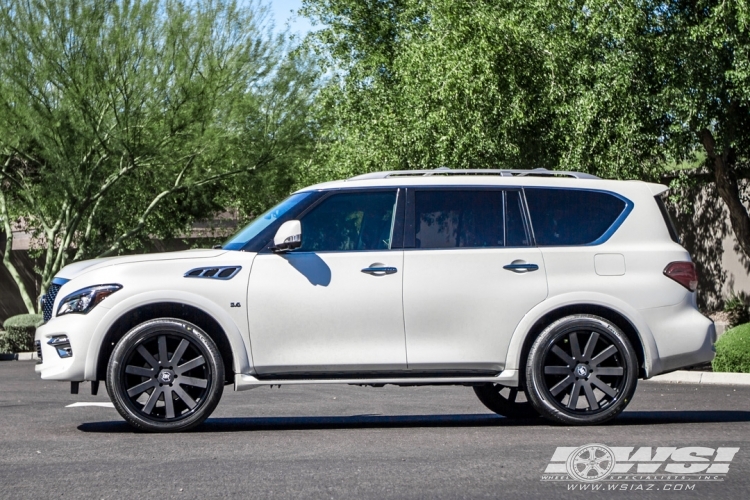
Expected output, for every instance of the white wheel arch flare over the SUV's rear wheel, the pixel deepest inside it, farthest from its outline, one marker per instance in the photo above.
(650, 351)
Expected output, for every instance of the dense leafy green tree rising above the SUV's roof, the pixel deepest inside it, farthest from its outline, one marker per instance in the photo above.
(619, 89)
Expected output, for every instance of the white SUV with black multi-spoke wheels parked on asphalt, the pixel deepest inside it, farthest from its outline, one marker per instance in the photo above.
(558, 287)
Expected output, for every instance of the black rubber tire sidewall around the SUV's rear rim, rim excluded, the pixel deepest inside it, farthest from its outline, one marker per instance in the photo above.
(539, 395)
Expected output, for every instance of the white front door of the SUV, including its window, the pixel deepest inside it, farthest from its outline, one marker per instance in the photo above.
(334, 305)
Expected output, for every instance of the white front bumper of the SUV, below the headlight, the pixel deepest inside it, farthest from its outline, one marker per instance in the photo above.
(79, 329)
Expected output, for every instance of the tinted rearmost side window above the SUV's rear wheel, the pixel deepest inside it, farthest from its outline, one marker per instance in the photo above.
(570, 216)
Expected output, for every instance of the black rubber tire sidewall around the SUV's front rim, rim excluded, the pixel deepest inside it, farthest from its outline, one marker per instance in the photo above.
(144, 332)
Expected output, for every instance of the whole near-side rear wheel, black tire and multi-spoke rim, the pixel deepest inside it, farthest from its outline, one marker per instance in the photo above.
(581, 355)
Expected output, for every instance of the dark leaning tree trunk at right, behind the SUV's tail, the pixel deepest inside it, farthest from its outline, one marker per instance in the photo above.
(728, 188)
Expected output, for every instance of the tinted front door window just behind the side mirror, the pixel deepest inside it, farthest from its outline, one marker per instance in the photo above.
(350, 221)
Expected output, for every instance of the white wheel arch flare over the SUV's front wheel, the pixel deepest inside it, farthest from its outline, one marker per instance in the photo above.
(240, 344)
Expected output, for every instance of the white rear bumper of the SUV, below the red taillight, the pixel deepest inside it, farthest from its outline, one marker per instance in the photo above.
(683, 336)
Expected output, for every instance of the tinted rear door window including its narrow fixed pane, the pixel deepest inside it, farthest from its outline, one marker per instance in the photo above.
(460, 219)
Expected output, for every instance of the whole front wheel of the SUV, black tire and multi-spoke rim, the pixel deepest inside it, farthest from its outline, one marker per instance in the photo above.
(165, 375)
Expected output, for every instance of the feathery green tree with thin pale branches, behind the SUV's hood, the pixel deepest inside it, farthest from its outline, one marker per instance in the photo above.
(124, 120)
